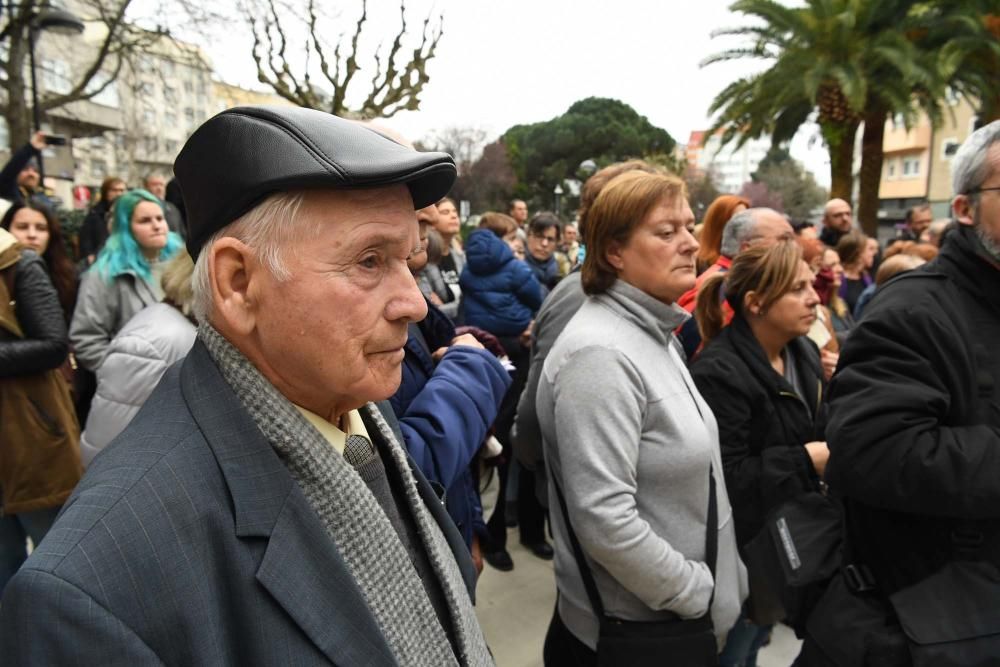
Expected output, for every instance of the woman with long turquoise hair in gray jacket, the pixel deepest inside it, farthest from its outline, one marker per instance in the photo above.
(125, 278)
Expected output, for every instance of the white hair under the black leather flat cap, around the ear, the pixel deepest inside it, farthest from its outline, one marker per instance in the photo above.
(266, 229)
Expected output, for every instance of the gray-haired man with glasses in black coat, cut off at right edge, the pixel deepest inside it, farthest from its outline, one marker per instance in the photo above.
(914, 436)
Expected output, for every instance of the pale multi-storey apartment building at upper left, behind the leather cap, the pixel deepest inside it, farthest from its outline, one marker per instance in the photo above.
(138, 123)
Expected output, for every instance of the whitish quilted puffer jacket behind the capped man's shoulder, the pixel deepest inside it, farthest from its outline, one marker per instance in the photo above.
(137, 358)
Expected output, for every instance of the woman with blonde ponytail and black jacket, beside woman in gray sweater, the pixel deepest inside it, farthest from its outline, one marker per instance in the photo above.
(763, 379)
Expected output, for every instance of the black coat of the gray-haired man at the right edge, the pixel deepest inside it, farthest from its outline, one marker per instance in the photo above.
(914, 426)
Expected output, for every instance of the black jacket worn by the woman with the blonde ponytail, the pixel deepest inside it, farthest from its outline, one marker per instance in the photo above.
(763, 421)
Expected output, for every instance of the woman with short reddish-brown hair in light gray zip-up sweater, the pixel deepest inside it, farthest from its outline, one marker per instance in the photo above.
(639, 507)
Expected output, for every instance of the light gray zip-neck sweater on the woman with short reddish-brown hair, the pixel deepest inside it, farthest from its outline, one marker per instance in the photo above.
(630, 440)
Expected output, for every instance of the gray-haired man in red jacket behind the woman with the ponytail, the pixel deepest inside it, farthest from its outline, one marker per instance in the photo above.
(754, 226)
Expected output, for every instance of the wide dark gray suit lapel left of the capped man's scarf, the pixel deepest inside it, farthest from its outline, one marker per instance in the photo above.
(301, 568)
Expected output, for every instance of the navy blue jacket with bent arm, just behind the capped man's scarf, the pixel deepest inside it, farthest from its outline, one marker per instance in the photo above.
(445, 411)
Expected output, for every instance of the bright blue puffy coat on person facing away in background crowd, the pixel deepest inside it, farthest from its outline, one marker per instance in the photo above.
(500, 292)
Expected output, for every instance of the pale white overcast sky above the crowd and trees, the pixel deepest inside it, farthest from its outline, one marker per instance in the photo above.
(523, 61)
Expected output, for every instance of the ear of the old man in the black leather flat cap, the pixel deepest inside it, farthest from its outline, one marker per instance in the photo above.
(232, 268)
